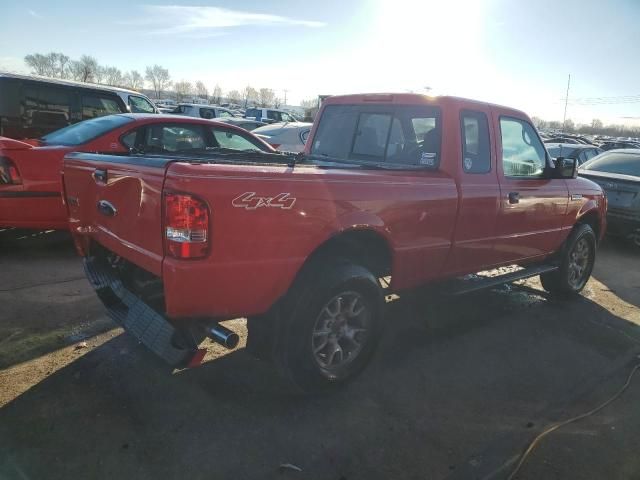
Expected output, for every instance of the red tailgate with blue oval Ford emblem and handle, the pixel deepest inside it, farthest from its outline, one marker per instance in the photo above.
(117, 201)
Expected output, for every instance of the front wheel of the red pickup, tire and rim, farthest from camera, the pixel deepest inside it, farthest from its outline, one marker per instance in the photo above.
(572, 276)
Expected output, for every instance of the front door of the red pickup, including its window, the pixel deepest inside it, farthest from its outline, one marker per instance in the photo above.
(532, 207)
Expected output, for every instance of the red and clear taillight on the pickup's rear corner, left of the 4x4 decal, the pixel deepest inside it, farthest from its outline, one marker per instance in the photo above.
(186, 226)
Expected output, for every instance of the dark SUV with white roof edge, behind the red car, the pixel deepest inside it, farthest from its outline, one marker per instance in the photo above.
(31, 107)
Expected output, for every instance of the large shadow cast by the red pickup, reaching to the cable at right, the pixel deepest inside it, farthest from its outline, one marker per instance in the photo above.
(457, 388)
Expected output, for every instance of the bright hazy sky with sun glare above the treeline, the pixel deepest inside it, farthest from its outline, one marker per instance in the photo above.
(515, 53)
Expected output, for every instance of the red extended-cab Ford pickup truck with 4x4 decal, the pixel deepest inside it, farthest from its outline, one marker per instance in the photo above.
(418, 189)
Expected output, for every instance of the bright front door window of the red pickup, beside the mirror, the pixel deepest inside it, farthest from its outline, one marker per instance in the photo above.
(523, 154)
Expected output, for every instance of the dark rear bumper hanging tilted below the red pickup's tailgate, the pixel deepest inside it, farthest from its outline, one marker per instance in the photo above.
(134, 315)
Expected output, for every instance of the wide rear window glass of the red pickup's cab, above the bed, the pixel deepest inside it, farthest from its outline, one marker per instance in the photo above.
(380, 133)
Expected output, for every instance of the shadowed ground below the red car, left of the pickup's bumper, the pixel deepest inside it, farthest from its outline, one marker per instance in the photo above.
(46, 301)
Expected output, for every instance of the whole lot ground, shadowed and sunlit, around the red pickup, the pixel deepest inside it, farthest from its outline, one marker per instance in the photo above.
(457, 389)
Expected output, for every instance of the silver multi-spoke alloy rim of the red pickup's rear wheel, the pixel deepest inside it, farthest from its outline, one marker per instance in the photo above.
(341, 331)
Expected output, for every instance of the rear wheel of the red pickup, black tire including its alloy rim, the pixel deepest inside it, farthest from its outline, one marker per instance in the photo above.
(306, 315)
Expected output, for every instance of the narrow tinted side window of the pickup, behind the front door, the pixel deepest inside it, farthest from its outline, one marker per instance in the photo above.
(476, 147)
